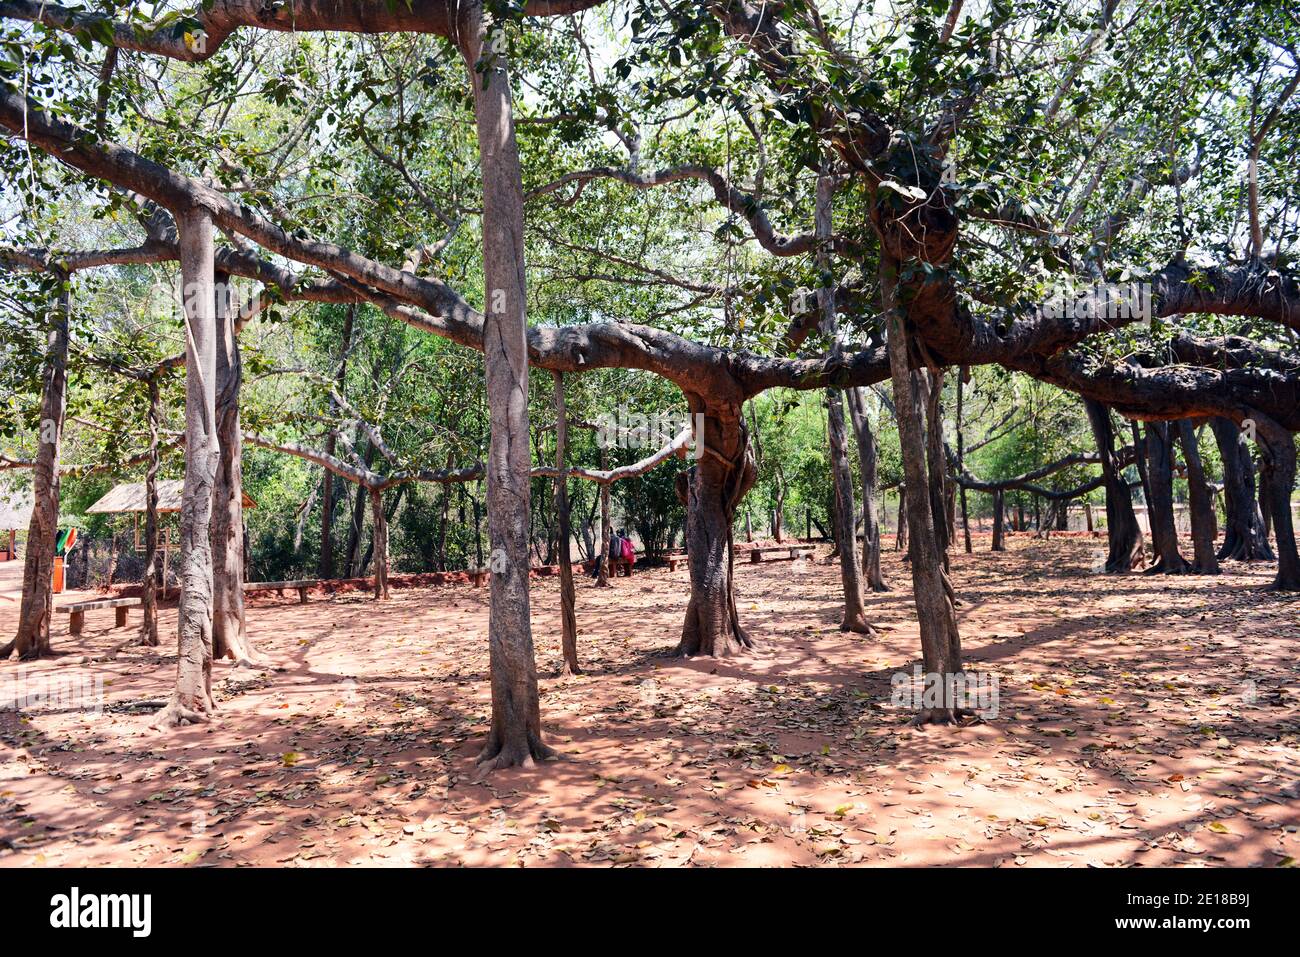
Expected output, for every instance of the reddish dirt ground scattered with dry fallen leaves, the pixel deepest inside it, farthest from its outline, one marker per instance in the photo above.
(1143, 721)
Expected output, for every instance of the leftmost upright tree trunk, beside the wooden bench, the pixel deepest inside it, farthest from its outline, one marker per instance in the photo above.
(37, 608)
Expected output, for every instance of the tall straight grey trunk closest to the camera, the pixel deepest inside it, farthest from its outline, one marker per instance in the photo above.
(517, 729)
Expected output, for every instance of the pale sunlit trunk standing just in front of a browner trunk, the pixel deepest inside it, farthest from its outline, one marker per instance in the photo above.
(193, 698)
